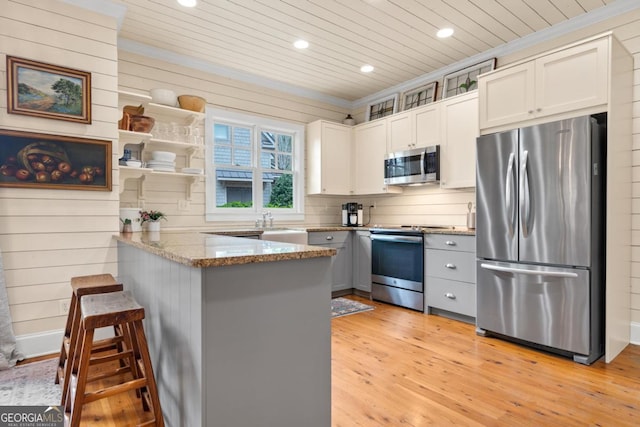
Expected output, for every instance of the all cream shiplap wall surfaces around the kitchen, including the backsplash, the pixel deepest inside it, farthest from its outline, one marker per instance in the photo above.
(49, 236)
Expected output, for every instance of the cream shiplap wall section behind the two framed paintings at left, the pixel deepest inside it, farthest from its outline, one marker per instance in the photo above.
(49, 236)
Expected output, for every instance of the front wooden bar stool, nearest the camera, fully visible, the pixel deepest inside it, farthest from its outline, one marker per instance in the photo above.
(103, 310)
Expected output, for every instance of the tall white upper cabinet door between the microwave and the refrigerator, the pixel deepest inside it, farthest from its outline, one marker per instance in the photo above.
(458, 148)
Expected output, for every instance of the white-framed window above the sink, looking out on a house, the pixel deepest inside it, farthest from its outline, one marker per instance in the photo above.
(253, 164)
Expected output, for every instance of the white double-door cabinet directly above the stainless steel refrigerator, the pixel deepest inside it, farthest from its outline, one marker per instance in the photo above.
(558, 83)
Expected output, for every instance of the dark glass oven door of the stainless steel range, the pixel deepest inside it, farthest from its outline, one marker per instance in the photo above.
(398, 261)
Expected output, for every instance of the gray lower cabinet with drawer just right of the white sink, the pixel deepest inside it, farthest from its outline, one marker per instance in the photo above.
(342, 262)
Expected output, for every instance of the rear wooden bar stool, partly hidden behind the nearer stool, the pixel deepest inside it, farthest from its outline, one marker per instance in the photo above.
(81, 286)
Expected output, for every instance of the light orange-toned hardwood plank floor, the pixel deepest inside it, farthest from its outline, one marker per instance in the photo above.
(397, 367)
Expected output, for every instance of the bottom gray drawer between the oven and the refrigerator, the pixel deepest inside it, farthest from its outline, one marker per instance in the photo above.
(458, 297)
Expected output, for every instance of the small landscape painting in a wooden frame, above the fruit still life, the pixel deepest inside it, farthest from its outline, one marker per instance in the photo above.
(49, 91)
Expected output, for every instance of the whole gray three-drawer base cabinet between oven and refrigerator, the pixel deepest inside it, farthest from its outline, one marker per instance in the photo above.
(450, 275)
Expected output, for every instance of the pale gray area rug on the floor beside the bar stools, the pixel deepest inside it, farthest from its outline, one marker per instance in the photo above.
(30, 384)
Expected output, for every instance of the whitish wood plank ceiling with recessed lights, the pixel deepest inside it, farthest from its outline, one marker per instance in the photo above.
(397, 37)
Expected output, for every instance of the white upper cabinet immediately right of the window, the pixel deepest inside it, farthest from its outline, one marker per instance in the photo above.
(328, 158)
